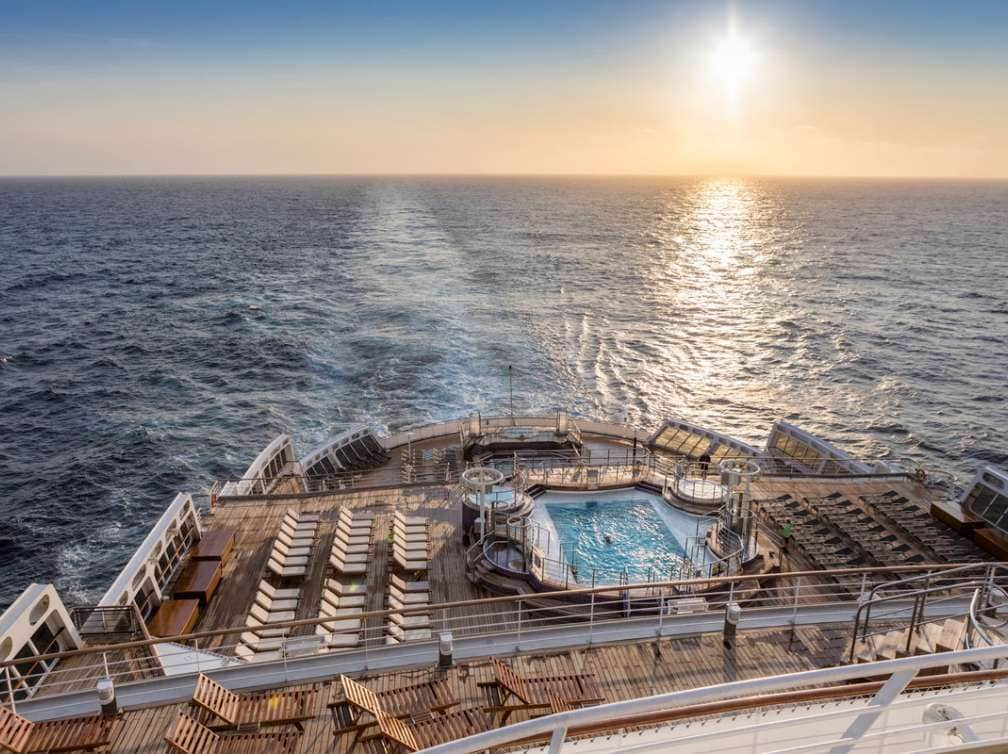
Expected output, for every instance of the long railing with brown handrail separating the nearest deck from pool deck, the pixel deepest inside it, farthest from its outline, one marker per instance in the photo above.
(502, 625)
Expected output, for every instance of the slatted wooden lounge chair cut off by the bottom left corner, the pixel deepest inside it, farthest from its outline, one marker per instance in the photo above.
(23, 736)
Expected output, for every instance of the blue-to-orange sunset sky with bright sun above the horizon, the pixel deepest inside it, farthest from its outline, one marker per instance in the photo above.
(852, 89)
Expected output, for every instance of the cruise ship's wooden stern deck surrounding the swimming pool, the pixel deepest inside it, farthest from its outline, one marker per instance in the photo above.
(816, 548)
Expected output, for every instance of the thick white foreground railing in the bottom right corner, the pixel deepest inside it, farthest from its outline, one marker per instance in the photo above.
(555, 728)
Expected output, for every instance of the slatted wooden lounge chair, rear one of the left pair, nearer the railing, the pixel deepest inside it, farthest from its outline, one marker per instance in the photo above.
(277, 707)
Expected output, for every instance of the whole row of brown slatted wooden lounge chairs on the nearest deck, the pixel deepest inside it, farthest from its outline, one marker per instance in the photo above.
(413, 717)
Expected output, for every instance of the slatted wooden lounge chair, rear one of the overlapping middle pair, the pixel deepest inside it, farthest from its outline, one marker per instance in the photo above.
(355, 708)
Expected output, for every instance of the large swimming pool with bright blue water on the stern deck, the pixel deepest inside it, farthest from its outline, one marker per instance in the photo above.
(613, 532)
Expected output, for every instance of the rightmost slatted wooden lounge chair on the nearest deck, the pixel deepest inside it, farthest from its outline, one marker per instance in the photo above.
(511, 692)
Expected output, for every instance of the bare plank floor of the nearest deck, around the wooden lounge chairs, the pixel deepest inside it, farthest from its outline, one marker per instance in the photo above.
(623, 672)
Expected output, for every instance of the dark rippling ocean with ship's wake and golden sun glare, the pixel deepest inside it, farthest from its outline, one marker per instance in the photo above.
(157, 333)
